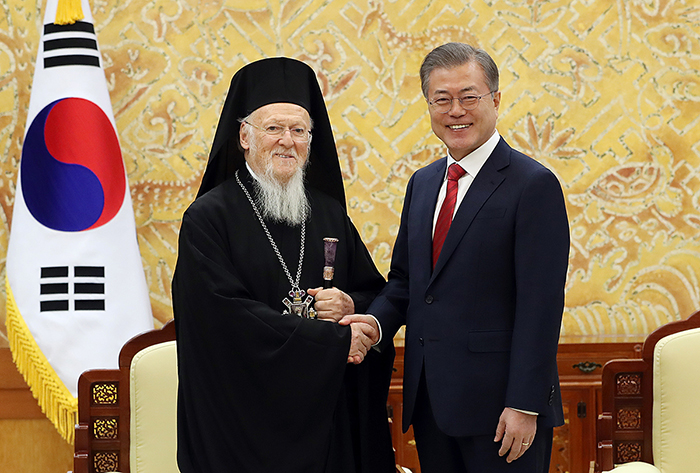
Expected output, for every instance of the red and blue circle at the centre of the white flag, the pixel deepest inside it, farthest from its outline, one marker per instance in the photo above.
(72, 170)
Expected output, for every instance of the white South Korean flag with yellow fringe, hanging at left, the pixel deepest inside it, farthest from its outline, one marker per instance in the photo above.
(76, 288)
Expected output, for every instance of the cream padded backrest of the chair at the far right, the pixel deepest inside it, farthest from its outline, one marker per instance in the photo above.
(676, 413)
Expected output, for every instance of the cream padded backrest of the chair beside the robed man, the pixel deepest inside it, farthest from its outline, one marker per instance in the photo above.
(153, 392)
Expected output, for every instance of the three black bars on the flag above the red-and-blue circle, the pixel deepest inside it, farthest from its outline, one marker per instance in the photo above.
(70, 45)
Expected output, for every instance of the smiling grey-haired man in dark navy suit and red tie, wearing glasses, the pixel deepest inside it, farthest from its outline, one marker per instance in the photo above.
(483, 309)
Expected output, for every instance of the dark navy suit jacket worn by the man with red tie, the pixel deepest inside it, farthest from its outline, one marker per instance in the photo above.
(485, 322)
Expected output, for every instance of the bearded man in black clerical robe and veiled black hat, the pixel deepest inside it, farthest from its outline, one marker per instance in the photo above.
(259, 390)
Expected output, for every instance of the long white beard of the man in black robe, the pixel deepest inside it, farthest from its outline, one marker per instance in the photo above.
(283, 203)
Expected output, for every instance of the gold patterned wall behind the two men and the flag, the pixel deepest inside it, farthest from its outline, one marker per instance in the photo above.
(604, 93)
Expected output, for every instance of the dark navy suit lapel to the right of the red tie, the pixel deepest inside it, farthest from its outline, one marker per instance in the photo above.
(485, 183)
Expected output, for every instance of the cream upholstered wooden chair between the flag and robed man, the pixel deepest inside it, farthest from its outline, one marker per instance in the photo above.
(127, 417)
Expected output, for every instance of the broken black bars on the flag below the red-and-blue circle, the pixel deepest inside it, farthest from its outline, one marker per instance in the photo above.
(87, 281)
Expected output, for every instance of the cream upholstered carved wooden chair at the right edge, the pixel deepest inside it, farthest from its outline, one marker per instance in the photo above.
(673, 371)
